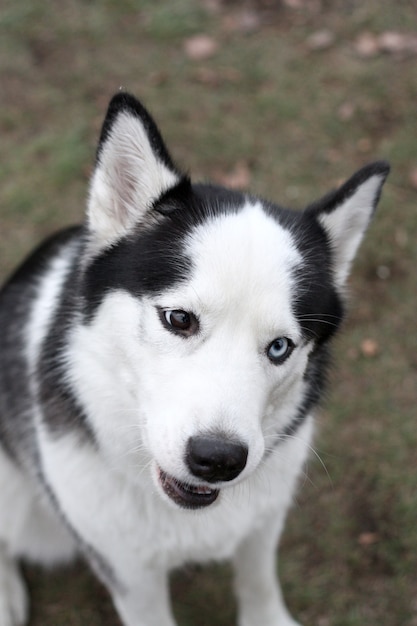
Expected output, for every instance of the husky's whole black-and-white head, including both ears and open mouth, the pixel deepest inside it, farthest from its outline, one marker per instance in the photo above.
(207, 313)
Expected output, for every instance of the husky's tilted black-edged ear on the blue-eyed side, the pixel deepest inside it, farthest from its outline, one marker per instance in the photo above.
(345, 214)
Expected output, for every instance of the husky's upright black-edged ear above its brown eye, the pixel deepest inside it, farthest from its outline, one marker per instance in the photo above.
(133, 170)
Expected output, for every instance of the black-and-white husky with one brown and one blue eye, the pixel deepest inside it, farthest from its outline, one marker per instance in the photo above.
(159, 370)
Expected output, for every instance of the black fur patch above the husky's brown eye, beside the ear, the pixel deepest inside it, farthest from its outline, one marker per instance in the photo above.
(153, 258)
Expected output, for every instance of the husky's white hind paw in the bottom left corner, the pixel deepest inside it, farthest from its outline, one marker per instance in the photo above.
(13, 597)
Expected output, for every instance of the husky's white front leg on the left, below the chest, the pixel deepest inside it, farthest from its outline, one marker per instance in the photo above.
(145, 604)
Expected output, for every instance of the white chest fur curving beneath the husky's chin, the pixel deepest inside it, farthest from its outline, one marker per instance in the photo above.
(130, 522)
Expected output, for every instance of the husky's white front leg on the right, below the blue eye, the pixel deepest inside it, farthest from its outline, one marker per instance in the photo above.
(260, 601)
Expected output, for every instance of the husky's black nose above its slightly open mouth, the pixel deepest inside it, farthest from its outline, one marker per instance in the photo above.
(215, 459)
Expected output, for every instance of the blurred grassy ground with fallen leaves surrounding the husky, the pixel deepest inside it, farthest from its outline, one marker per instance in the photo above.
(287, 98)
